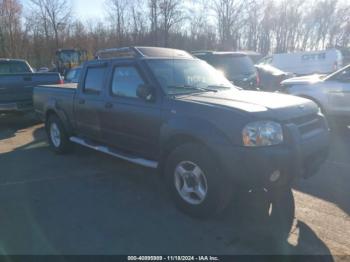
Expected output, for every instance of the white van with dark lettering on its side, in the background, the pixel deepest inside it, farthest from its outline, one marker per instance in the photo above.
(306, 63)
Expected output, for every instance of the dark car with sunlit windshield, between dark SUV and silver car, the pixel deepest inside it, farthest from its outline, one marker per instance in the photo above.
(271, 77)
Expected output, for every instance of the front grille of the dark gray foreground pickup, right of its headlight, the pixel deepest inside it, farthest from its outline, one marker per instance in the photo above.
(308, 124)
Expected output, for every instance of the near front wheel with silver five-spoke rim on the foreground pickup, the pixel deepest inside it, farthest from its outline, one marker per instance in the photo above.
(195, 182)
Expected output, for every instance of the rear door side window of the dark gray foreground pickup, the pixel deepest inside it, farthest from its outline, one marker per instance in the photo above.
(94, 80)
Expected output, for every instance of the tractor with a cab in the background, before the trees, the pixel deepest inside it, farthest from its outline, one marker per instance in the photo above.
(66, 59)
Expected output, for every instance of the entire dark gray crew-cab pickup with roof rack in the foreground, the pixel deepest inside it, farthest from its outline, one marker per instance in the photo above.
(164, 109)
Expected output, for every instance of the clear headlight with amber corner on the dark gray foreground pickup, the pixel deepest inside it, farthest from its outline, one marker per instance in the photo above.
(262, 133)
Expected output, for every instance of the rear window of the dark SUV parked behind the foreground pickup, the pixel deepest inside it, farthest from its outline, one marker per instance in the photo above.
(232, 65)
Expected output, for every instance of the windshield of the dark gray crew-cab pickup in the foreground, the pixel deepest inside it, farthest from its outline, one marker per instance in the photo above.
(187, 76)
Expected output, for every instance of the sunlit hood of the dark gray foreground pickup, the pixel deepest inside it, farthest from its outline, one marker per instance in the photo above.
(262, 104)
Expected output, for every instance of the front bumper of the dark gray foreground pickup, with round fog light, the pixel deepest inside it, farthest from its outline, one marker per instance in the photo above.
(277, 166)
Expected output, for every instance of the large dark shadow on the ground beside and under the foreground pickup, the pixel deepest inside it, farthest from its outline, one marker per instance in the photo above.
(89, 203)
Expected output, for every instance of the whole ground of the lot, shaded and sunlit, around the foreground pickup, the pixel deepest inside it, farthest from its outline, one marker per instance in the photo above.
(89, 203)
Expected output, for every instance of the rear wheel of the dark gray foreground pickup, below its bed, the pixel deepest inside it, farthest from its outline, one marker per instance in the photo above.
(57, 135)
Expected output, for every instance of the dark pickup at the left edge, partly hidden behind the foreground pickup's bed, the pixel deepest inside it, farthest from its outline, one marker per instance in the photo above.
(17, 80)
